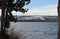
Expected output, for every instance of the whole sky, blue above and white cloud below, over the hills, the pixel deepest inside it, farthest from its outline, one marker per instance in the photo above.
(40, 7)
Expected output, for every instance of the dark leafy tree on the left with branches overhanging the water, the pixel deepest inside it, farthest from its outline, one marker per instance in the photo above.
(7, 7)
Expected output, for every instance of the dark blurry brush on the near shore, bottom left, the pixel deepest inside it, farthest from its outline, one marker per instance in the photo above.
(11, 34)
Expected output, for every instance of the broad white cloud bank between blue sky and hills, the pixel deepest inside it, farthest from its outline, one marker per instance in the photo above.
(44, 10)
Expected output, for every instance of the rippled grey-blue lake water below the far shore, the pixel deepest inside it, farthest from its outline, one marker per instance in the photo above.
(36, 30)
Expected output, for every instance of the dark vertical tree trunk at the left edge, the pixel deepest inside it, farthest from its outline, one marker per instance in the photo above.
(3, 20)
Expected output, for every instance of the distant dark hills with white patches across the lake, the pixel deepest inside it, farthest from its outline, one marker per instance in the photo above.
(36, 18)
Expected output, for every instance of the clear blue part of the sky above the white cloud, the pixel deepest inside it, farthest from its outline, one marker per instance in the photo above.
(39, 3)
